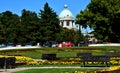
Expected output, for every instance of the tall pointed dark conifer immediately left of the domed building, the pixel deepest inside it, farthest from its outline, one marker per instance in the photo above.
(49, 24)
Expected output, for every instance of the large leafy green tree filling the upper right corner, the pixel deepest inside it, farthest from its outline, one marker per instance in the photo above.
(103, 16)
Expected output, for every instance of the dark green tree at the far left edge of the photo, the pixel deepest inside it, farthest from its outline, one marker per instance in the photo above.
(10, 25)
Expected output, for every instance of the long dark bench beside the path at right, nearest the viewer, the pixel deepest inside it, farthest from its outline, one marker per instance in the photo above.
(99, 59)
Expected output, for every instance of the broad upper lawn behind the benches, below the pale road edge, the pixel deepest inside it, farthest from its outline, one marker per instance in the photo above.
(61, 52)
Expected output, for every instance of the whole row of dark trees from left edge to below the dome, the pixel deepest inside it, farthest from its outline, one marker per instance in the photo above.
(34, 28)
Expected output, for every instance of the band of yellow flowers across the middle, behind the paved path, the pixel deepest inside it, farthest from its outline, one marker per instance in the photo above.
(70, 61)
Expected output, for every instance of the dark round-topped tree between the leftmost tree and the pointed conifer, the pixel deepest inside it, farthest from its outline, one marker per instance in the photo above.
(30, 27)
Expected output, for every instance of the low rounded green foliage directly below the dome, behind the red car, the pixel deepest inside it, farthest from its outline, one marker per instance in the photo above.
(69, 35)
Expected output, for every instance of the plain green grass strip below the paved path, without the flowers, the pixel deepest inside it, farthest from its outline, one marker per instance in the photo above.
(62, 70)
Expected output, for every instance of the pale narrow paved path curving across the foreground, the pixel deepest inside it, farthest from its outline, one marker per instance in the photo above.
(25, 68)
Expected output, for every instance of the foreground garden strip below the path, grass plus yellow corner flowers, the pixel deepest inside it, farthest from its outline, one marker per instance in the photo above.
(72, 70)
